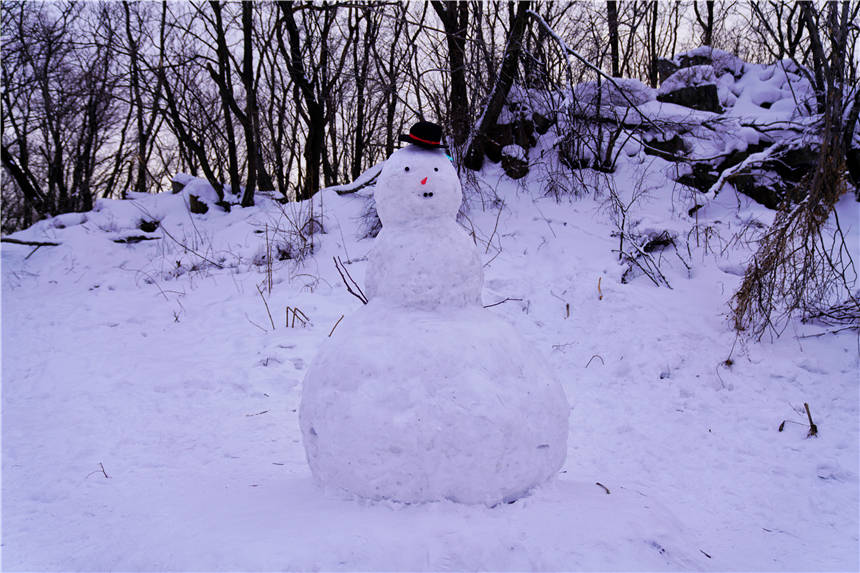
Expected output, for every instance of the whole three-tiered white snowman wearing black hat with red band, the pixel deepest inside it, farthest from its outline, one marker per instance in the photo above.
(422, 394)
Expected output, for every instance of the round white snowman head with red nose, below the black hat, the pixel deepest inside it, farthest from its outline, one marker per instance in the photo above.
(417, 185)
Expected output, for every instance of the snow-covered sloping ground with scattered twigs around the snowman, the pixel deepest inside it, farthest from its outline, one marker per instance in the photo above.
(150, 408)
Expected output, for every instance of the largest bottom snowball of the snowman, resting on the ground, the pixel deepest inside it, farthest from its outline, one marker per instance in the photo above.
(417, 406)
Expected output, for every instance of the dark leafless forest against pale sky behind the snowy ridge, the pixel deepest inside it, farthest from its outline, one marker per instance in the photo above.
(104, 98)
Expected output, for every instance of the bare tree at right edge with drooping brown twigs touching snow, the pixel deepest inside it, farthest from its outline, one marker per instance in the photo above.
(801, 267)
